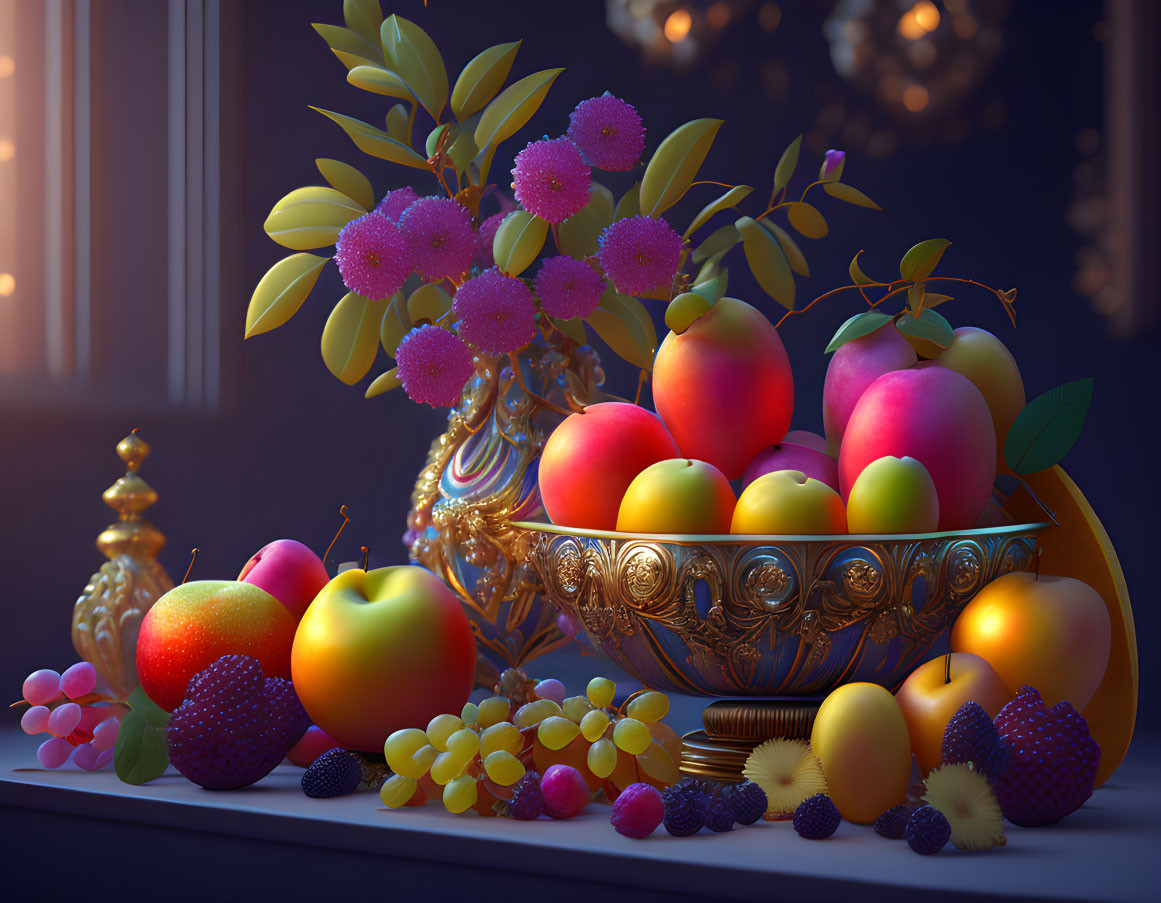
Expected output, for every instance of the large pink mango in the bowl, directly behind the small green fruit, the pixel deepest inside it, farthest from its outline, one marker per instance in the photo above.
(938, 417)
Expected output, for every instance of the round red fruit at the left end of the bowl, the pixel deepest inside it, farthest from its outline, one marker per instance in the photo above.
(593, 458)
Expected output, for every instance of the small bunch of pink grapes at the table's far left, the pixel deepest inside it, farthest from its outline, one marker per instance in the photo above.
(82, 724)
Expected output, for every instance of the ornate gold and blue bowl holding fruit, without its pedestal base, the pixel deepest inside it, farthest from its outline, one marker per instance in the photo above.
(735, 616)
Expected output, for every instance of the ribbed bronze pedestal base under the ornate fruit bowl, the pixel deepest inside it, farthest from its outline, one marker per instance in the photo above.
(733, 728)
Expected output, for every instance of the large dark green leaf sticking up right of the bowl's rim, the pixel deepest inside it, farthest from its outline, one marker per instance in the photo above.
(1048, 428)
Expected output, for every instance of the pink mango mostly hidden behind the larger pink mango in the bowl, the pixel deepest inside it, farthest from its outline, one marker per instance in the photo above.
(853, 369)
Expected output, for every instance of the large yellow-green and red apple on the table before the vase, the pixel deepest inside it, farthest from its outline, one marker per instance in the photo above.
(383, 651)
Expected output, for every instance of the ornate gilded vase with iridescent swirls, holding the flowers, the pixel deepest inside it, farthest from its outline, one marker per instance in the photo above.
(481, 476)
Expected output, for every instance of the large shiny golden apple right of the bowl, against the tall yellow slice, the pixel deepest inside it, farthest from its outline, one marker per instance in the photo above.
(1050, 633)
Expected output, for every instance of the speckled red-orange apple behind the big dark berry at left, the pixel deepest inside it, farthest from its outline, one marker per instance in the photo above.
(194, 625)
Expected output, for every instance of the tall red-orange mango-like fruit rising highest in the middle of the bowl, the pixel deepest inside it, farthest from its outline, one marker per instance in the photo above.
(724, 387)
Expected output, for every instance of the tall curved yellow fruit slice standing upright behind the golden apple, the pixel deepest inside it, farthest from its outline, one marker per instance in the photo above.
(1080, 548)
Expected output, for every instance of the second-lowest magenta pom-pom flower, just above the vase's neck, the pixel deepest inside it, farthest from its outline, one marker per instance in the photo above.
(497, 313)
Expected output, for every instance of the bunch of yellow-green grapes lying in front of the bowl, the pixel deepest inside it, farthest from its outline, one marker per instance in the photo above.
(495, 743)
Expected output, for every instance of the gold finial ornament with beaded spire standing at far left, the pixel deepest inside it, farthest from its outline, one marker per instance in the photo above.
(109, 615)
